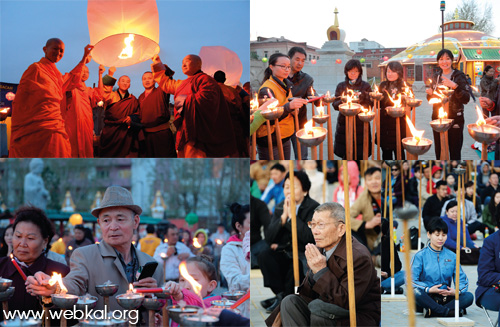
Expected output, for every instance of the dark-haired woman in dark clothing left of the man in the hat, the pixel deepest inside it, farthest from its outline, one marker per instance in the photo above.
(32, 232)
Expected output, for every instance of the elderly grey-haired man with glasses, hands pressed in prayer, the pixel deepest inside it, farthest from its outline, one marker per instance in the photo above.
(323, 293)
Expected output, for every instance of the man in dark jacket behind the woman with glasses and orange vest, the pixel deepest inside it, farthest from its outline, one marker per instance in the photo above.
(302, 84)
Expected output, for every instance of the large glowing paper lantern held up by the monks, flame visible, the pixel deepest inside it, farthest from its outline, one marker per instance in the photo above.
(123, 32)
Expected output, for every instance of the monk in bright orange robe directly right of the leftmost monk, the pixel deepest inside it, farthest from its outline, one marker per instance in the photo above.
(77, 114)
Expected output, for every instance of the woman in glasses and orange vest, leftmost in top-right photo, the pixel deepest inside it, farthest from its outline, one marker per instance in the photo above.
(276, 85)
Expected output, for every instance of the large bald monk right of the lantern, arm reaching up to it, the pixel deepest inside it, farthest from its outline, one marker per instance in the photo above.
(201, 116)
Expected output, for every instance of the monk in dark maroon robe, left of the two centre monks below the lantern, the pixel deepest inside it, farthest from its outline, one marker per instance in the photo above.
(120, 134)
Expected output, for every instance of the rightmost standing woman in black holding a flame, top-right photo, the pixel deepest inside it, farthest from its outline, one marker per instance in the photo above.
(455, 80)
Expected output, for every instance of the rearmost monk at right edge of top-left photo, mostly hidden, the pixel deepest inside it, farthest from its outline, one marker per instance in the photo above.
(241, 121)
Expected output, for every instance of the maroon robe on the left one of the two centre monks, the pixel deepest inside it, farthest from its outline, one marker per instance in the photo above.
(118, 140)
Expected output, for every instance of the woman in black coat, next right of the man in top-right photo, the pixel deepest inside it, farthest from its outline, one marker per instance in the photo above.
(353, 73)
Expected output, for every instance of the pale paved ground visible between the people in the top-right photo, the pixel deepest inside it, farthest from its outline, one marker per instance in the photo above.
(423, 117)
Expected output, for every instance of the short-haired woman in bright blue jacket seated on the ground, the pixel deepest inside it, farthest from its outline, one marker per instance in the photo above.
(433, 271)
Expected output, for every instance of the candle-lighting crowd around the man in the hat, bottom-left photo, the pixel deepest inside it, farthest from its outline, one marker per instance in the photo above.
(119, 255)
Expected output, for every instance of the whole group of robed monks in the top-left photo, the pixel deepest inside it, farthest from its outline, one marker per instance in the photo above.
(55, 115)
